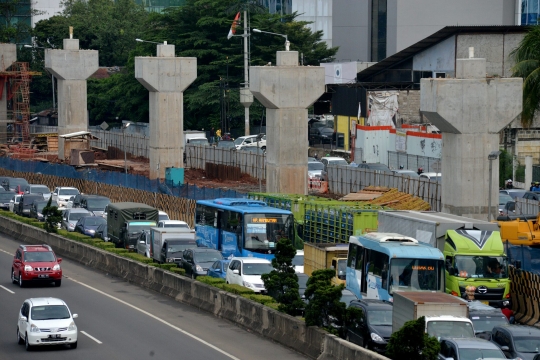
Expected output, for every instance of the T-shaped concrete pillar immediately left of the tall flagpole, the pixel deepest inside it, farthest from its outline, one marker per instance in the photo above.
(166, 77)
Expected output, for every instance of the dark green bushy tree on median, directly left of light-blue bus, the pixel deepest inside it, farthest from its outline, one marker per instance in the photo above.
(324, 307)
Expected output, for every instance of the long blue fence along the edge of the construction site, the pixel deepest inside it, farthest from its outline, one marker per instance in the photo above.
(138, 182)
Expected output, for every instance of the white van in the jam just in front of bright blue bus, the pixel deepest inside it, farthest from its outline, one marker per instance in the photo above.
(247, 271)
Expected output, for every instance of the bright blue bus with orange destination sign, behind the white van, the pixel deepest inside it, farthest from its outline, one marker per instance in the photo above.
(242, 227)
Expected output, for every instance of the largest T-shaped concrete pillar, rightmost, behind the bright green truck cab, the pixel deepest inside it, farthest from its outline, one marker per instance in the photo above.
(470, 111)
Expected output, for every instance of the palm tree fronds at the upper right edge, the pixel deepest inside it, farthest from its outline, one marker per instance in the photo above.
(527, 58)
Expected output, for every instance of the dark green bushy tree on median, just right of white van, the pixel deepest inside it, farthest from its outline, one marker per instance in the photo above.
(282, 282)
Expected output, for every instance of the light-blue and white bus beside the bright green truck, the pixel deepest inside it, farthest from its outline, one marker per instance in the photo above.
(380, 263)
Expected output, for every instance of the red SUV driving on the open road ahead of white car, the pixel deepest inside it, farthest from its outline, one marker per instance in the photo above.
(36, 263)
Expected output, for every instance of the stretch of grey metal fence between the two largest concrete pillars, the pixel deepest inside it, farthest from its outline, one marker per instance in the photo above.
(343, 180)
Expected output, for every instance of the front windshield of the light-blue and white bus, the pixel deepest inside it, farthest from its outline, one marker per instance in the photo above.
(416, 275)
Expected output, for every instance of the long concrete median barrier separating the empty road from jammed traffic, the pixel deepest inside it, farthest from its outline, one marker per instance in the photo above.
(284, 329)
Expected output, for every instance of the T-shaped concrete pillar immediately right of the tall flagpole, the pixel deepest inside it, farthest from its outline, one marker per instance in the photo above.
(286, 90)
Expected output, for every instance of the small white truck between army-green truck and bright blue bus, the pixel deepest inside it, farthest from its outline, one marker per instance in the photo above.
(168, 244)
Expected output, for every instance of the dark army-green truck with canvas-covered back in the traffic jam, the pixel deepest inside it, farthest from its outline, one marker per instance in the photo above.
(127, 220)
